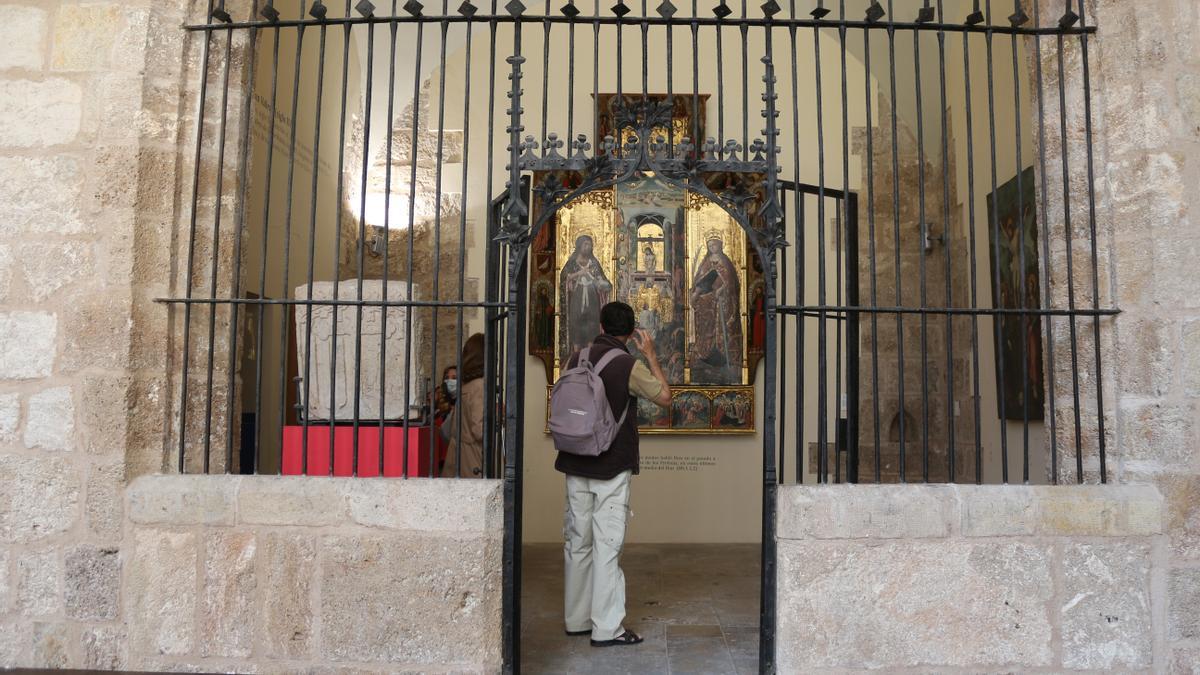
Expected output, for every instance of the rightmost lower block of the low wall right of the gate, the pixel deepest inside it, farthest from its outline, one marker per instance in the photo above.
(1106, 607)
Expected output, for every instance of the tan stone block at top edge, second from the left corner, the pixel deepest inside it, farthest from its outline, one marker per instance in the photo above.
(83, 37)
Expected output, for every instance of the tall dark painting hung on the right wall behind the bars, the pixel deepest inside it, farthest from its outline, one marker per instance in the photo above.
(1013, 241)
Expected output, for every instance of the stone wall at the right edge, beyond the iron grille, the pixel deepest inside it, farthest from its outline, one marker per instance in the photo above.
(1145, 83)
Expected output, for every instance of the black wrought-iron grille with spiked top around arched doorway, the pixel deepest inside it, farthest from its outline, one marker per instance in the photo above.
(873, 146)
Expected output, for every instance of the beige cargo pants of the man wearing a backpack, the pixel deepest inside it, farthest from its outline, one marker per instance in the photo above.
(595, 530)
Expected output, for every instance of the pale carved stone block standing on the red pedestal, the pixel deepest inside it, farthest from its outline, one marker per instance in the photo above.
(374, 366)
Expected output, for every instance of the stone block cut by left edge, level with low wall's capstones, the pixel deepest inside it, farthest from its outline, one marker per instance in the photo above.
(40, 498)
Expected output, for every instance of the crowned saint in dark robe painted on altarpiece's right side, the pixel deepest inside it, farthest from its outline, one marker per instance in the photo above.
(717, 344)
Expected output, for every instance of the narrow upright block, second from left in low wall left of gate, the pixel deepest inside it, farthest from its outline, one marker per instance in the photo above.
(227, 605)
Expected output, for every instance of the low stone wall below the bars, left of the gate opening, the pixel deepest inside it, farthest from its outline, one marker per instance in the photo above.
(268, 575)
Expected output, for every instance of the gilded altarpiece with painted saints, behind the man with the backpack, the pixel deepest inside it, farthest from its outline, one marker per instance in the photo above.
(686, 267)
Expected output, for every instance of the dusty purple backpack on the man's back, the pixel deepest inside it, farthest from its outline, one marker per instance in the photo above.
(580, 417)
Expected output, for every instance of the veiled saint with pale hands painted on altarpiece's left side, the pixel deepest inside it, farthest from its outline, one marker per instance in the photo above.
(584, 289)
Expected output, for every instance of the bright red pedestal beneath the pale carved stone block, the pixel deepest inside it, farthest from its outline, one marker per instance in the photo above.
(369, 451)
